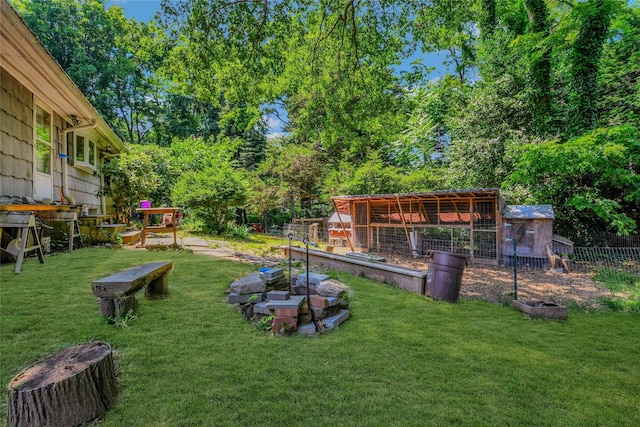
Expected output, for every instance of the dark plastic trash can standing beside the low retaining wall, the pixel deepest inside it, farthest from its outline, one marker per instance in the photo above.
(444, 275)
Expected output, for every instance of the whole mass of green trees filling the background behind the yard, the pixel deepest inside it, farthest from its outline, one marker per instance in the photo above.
(539, 98)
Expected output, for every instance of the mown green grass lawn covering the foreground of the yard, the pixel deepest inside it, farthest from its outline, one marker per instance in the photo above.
(401, 359)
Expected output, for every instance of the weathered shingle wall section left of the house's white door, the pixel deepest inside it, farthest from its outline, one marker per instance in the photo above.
(16, 134)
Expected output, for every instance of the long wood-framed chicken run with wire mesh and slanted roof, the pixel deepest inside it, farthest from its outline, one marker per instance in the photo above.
(466, 222)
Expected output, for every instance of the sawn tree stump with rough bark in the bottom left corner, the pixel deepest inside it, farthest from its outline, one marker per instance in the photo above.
(70, 388)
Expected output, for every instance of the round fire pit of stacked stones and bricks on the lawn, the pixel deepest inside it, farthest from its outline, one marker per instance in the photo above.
(265, 299)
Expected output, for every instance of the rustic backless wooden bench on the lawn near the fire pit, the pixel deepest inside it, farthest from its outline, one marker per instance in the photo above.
(117, 292)
